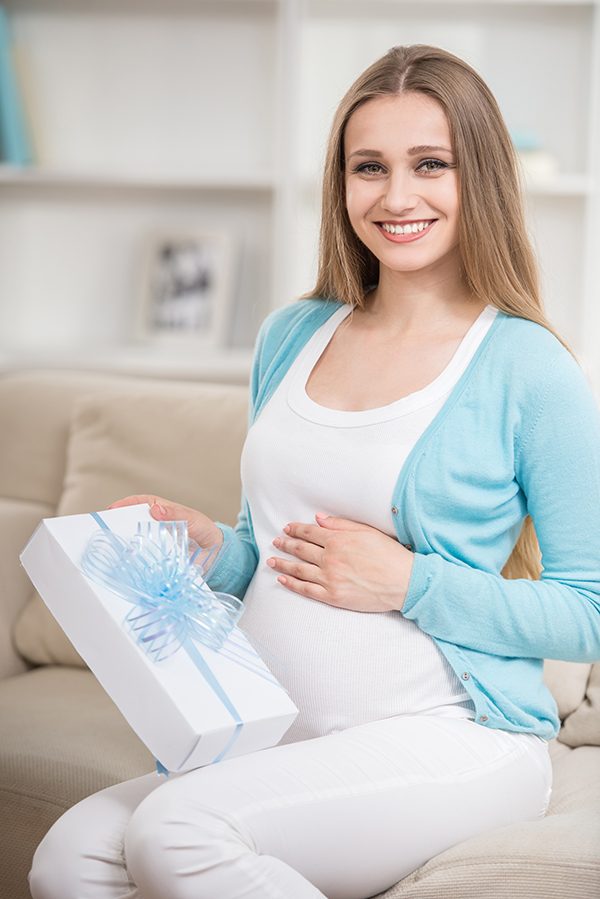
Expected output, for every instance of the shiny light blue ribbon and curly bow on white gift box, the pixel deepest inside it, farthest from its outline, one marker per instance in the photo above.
(158, 572)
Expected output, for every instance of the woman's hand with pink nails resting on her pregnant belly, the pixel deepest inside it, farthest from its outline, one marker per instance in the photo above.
(344, 564)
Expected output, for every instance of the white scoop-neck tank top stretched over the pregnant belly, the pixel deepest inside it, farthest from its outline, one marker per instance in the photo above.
(342, 668)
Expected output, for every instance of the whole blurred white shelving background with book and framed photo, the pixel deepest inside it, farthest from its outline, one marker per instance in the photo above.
(159, 190)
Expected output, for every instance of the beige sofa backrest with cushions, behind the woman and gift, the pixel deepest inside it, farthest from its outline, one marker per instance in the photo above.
(76, 443)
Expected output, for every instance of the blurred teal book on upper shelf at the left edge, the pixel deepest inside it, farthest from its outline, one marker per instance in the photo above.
(14, 139)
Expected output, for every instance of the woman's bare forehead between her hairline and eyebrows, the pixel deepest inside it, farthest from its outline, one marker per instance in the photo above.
(401, 120)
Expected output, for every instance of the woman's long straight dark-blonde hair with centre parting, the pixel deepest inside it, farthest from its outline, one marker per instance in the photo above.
(498, 261)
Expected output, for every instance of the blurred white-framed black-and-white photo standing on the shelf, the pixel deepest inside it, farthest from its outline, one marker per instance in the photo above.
(185, 292)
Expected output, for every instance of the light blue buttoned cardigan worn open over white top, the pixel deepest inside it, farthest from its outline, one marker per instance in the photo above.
(520, 433)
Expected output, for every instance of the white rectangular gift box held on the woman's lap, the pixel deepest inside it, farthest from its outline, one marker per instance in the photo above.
(170, 704)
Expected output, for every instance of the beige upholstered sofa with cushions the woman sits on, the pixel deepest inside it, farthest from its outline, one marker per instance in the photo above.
(73, 443)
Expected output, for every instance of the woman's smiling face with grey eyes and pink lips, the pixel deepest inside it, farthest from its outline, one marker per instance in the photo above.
(401, 183)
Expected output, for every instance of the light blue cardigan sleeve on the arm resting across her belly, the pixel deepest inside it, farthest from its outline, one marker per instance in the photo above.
(557, 465)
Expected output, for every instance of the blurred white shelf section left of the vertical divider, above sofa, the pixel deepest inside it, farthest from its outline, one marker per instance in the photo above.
(149, 116)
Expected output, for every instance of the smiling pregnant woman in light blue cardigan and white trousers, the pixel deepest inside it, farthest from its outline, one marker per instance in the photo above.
(402, 430)
